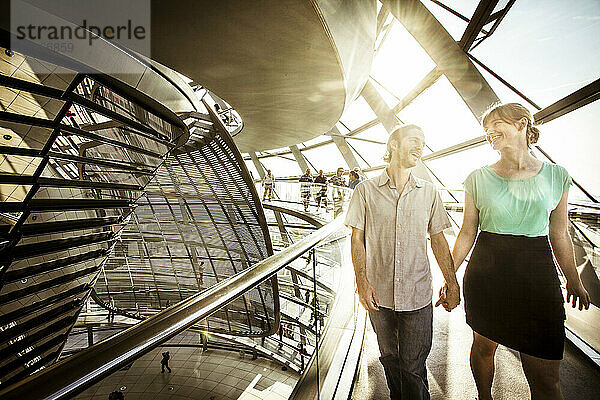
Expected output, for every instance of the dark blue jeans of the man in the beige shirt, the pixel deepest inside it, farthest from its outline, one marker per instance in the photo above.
(404, 339)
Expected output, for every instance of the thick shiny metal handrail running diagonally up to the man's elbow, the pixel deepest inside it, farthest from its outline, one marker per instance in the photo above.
(73, 375)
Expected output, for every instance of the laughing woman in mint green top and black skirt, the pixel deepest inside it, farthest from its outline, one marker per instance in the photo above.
(511, 287)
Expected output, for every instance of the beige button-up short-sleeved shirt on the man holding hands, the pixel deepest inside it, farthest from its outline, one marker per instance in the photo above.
(396, 227)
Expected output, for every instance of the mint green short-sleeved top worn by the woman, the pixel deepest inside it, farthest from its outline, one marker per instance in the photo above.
(517, 206)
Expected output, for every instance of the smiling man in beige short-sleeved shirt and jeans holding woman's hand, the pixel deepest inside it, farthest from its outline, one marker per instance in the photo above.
(390, 216)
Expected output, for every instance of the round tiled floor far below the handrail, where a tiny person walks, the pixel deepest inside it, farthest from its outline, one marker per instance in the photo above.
(216, 374)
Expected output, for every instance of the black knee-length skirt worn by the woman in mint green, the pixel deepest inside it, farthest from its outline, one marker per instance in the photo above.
(512, 294)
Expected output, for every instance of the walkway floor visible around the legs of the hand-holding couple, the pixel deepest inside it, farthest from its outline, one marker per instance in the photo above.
(450, 376)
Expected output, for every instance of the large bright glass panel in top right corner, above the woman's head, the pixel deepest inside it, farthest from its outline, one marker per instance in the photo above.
(551, 48)
